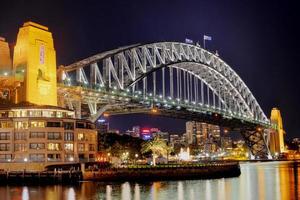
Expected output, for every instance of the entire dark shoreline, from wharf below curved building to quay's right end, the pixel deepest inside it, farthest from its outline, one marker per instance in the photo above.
(130, 173)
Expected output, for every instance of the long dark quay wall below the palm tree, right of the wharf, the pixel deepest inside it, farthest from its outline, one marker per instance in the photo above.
(164, 173)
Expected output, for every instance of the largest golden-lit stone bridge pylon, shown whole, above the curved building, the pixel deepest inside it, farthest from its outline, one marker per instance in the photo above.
(34, 65)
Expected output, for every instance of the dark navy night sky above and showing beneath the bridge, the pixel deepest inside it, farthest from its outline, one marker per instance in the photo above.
(258, 39)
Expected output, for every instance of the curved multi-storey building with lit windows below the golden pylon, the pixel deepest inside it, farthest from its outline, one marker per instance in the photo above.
(45, 134)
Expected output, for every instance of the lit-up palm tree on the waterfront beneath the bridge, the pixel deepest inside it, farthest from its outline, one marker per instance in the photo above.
(157, 146)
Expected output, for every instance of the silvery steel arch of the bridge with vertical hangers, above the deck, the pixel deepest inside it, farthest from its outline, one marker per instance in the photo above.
(123, 68)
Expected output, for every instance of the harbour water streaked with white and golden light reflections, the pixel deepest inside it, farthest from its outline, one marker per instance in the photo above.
(276, 180)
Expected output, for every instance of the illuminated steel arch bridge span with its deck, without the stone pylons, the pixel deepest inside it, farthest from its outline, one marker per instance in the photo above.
(172, 79)
